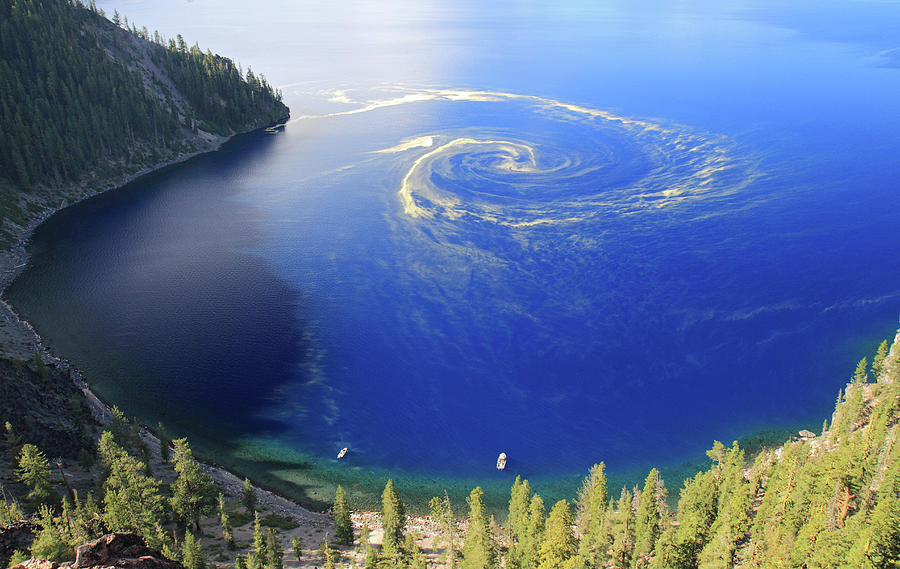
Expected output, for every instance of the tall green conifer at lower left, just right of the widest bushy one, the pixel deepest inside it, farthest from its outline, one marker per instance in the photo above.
(193, 492)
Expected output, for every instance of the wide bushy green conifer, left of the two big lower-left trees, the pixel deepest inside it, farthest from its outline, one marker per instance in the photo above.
(131, 499)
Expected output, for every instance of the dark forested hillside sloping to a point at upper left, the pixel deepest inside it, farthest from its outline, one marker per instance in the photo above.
(84, 101)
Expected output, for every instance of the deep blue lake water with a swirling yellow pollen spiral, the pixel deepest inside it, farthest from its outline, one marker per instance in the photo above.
(573, 232)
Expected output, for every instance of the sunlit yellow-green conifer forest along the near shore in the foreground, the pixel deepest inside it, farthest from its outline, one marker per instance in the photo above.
(830, 500)
